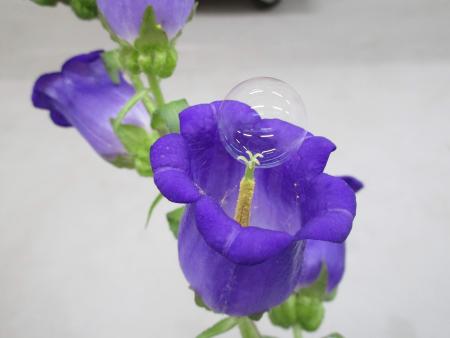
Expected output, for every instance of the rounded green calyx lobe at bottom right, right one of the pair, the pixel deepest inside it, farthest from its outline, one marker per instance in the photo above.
(310, 312)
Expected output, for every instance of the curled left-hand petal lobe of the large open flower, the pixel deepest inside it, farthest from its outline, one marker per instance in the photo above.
(170, 164)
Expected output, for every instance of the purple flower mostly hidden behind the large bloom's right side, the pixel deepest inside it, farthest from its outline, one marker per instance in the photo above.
(331, 254)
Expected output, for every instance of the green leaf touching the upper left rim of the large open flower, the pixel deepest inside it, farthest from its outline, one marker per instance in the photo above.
(166, 119)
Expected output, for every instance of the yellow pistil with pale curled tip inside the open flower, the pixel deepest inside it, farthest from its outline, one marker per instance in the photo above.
(246, 189)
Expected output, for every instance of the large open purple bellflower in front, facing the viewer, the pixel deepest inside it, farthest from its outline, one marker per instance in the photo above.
(244, 270)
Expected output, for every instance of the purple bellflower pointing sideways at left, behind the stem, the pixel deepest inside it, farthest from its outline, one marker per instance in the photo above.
(82, 95)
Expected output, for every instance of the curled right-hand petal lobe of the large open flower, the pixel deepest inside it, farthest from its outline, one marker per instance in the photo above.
(329, 209)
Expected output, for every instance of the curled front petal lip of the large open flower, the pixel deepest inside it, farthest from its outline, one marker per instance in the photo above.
(242, 245)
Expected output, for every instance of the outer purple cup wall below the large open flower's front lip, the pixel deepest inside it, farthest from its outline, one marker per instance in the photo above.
(235, 289)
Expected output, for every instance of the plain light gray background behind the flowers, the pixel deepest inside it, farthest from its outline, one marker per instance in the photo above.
(75, 260)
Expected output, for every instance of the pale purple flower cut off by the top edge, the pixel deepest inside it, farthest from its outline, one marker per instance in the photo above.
(125, 16)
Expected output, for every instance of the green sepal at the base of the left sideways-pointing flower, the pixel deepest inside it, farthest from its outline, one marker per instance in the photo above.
(137, 142)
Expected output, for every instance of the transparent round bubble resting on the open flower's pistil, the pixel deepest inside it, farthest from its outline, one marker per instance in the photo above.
(263, 116)
